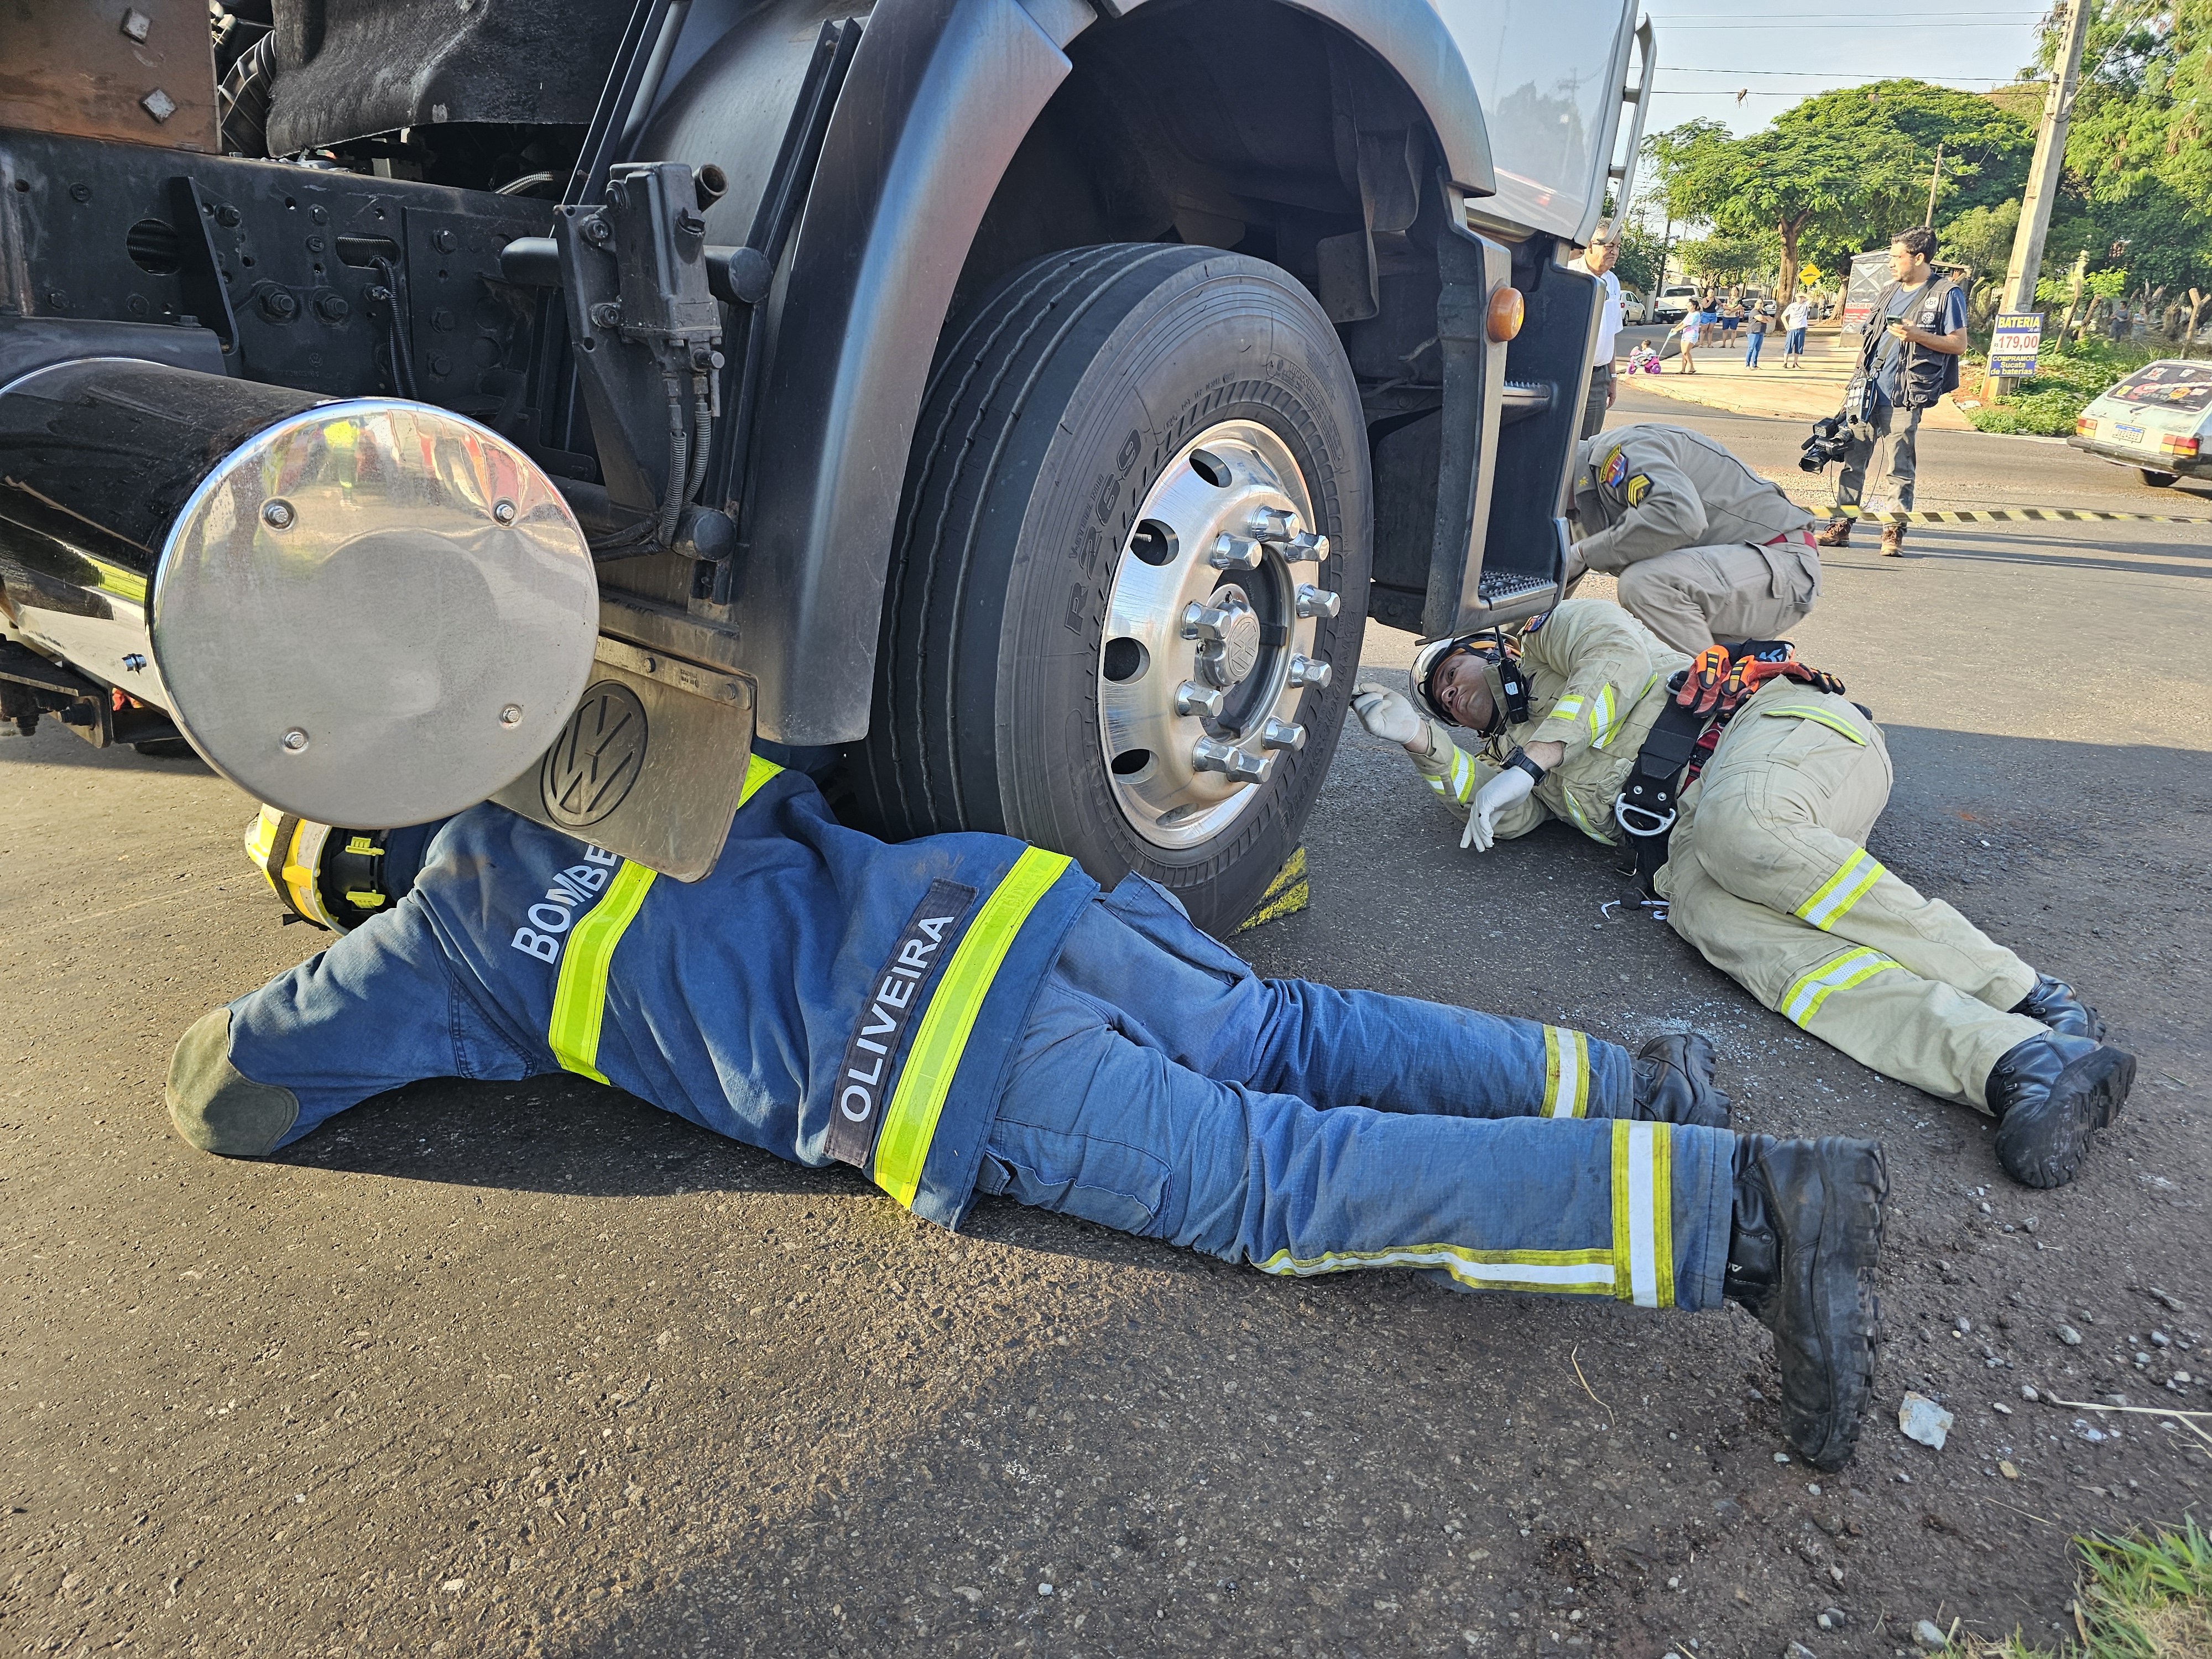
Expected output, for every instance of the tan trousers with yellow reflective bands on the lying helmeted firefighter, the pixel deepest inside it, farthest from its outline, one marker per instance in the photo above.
(1777, 890)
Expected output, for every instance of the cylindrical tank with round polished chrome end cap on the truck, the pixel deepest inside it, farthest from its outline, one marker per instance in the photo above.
(362, 612)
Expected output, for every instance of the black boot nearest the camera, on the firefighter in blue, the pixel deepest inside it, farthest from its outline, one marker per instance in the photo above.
(1802, 1260)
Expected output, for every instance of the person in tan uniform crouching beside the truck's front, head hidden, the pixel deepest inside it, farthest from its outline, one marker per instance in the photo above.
(1702, 545)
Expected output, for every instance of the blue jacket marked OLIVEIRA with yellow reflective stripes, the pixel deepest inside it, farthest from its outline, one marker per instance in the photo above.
(822, 994)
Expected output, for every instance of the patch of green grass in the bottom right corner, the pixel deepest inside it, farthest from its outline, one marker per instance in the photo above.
(2147, 1596)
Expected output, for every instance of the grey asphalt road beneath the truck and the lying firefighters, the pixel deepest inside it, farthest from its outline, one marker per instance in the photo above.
(541, 1370)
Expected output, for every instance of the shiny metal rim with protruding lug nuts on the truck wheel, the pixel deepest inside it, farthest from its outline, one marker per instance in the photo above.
(1209, 651)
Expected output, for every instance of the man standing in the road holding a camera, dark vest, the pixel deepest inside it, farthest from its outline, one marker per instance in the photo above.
(1906, 366)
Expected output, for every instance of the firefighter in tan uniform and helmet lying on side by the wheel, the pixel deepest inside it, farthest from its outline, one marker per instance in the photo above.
(1764, 868)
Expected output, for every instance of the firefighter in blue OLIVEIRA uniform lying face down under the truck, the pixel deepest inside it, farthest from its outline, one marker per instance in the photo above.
(966, 1014)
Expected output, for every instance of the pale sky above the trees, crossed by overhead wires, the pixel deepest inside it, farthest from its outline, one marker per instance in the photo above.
(1777, 54)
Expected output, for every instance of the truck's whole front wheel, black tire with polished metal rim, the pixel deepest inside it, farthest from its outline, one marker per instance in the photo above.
(1103, 629)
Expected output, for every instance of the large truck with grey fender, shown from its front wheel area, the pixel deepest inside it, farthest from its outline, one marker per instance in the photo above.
(1012, 408)
